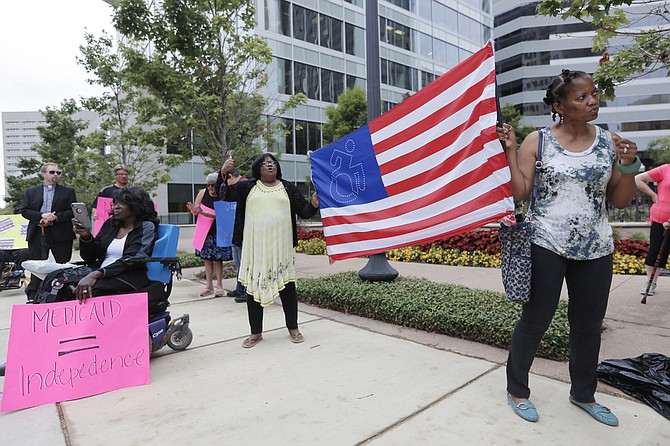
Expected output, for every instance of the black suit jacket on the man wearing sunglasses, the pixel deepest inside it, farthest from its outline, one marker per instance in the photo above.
(64, 196)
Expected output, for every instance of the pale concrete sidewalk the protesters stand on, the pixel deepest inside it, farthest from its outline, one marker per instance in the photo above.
(352, 381)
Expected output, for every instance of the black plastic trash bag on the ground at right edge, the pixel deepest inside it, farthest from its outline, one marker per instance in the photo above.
(646, 378)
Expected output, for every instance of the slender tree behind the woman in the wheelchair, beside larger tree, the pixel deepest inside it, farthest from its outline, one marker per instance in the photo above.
(134, 137)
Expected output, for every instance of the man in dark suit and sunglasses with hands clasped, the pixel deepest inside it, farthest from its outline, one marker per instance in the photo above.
(48, 206)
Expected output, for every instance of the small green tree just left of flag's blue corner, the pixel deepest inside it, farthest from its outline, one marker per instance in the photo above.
(350, 113)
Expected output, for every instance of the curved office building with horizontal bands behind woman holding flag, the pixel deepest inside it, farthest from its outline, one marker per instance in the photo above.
(532, 49)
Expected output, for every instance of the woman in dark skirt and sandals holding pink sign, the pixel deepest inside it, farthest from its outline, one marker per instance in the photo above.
(212, 255)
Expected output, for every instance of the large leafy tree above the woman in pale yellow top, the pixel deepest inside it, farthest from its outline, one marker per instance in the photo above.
(203, 62)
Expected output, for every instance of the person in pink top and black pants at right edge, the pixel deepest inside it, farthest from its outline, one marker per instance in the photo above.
(658, 214)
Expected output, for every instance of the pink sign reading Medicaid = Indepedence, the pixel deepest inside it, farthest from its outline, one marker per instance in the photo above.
(67, 350)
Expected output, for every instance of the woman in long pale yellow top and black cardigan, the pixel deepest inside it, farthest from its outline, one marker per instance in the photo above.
(265, 228)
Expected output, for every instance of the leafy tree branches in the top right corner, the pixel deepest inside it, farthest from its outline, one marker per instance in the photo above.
(647, 34)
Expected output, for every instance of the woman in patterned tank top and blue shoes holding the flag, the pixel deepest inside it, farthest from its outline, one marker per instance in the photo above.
(582, 167)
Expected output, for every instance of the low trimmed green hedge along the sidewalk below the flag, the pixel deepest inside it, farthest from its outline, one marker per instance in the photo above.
(476, 315)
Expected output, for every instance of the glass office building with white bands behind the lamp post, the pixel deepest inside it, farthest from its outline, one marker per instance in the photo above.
(318, 48)
